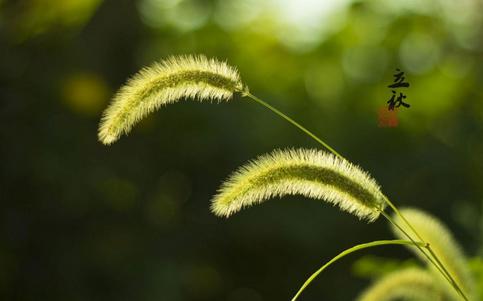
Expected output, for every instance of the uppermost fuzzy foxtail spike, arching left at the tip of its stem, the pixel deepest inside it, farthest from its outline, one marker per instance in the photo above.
(166, 82)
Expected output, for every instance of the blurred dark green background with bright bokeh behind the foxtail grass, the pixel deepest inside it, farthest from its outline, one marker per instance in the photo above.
(82, 221)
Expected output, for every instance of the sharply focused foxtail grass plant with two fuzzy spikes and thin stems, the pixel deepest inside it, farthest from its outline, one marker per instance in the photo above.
(310, 173)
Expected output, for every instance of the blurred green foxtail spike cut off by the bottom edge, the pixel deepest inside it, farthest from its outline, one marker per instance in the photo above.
(405, 284)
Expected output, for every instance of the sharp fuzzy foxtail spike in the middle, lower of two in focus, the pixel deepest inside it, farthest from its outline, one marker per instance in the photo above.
(311, 173)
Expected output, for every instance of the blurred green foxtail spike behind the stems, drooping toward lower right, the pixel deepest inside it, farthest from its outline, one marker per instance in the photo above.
(444, 247)
